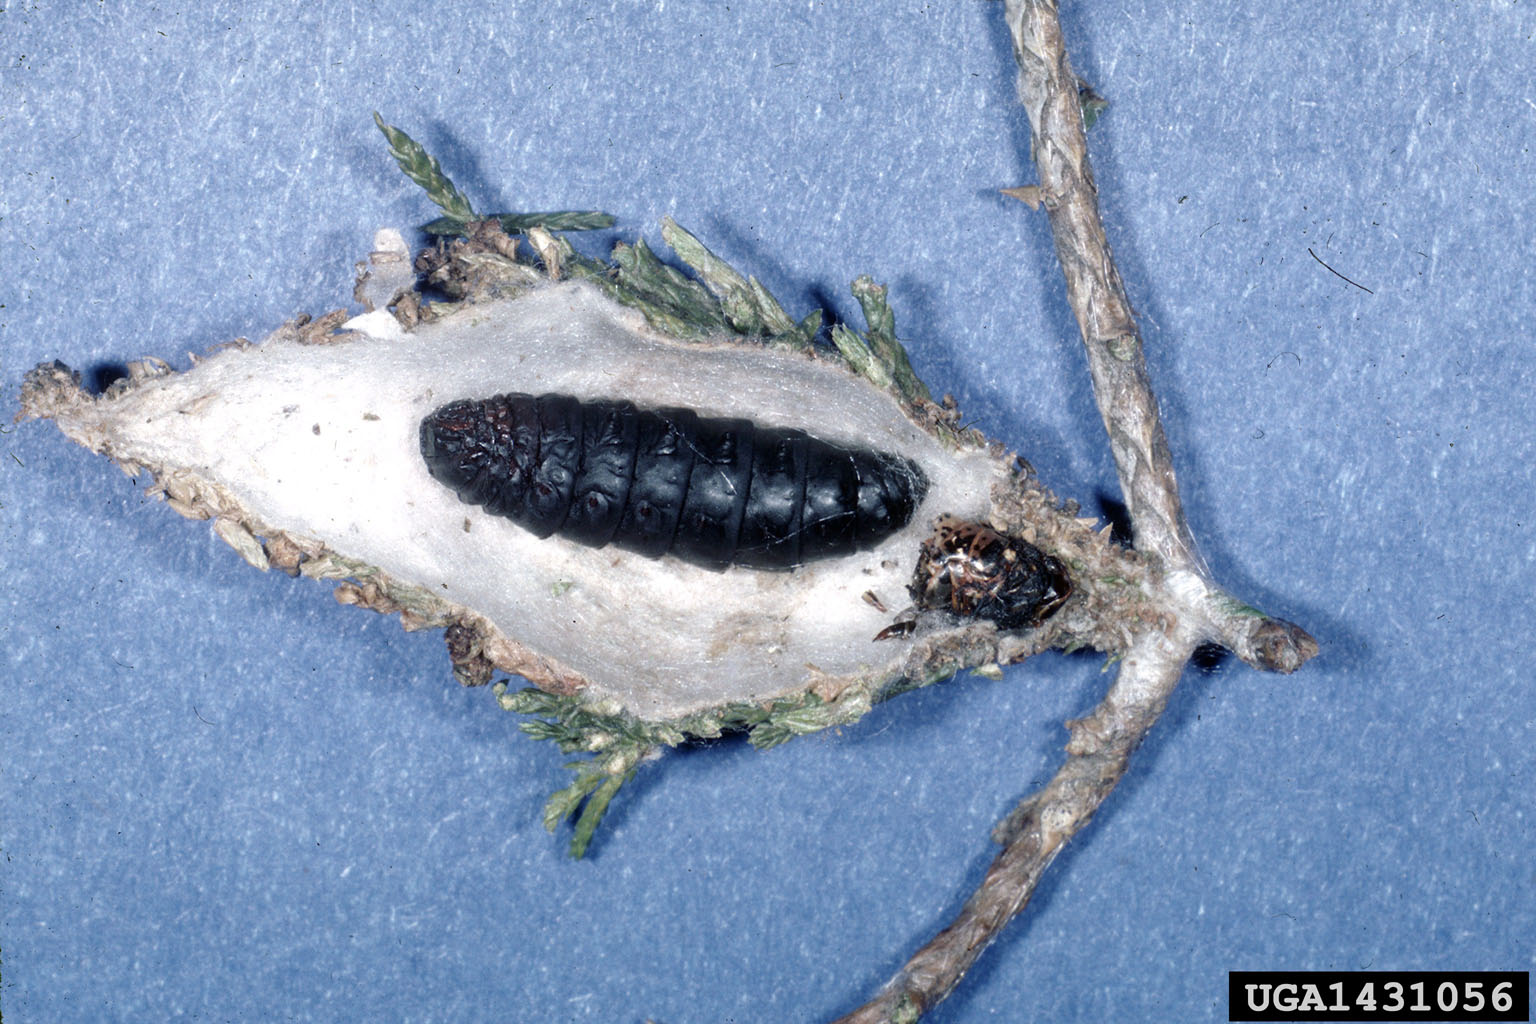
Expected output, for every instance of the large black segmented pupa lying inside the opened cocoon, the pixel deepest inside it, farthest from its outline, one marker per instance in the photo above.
(667, 481)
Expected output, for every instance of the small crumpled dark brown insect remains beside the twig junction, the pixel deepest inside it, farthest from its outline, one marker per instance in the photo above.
(976, 572)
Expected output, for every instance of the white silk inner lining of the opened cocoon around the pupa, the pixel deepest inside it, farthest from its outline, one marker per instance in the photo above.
(320, 443)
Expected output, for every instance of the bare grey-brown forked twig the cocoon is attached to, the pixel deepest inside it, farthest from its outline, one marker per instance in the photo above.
(1196, 609)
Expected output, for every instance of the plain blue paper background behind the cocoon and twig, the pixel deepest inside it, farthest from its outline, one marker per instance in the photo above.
(227, 796)
